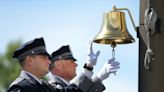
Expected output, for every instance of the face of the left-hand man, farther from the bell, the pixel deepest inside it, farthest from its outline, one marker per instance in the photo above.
(40, 64)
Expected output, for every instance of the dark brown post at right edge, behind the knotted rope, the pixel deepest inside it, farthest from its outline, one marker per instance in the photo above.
(152, 80)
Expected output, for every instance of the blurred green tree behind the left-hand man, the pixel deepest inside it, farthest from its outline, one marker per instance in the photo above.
(9, 67)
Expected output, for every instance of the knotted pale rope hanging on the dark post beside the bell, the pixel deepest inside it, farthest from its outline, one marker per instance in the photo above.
(149, 22)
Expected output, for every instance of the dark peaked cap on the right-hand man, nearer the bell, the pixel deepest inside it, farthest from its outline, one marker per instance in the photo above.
(62, 53)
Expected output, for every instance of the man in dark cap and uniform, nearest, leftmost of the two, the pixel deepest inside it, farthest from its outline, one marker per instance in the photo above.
(34, 61)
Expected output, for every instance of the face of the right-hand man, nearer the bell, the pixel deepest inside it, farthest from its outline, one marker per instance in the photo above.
(68, 68)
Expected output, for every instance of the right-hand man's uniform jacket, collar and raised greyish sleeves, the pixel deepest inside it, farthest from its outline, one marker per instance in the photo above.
(84, 83)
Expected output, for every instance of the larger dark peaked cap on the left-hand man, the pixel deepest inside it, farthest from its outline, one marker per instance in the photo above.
(33, 47)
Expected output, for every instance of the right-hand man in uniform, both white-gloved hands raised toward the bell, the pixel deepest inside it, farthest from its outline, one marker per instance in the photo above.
(63, 69)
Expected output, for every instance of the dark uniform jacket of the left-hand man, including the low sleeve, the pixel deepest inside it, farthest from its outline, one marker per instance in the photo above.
(26, 83)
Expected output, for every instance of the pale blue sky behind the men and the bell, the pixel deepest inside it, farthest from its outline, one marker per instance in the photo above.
(74, 23)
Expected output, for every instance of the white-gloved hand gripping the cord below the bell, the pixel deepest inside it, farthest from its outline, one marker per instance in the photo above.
(109, 67)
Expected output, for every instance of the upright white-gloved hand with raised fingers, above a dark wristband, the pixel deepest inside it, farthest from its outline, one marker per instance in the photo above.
(92, 57)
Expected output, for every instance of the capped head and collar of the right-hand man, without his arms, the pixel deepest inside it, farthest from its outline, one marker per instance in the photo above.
(64, 67)
